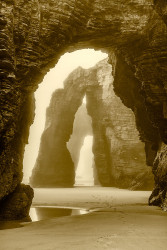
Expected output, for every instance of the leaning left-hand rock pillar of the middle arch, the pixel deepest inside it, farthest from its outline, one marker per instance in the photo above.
(54, 166)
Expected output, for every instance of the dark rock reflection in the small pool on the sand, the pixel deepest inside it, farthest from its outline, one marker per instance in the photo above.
(50, 212)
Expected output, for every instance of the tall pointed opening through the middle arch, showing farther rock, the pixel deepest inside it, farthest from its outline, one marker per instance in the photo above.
(80, 147)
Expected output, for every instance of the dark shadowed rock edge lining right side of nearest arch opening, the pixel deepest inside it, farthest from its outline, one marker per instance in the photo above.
(127, 87)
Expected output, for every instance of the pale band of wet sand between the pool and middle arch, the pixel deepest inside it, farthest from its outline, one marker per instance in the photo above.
(88, 197)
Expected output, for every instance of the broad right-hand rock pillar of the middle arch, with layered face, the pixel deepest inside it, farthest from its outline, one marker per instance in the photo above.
(119, 154)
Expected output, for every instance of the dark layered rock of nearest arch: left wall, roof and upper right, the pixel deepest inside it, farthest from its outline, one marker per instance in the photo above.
(34, 34)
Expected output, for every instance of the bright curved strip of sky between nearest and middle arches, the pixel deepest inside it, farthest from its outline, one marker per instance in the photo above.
(85, 58)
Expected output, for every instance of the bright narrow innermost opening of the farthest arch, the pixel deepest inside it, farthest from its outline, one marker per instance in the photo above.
(84, 173)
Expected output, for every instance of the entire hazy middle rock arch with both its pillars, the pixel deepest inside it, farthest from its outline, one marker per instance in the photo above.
(119, 154)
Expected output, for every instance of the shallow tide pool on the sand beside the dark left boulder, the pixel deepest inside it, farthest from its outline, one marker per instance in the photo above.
(42, 213)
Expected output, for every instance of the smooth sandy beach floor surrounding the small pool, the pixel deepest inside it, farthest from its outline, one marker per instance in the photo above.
(119, 219)
